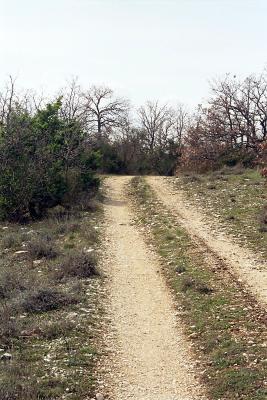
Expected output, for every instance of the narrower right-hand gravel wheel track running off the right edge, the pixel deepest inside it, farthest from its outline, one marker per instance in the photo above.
(240, 261)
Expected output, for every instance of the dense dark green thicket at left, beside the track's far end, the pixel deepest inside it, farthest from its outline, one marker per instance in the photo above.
(44, 158)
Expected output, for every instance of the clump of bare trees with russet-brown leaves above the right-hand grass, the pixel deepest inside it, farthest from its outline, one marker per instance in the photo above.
(231, 128)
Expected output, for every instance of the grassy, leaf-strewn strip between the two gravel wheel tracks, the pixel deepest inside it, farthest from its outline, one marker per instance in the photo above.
(225, 324)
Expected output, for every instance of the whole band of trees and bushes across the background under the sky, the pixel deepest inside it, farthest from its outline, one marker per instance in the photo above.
(51, 149)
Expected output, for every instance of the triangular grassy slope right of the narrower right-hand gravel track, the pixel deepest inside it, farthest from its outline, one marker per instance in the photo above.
(236, 198)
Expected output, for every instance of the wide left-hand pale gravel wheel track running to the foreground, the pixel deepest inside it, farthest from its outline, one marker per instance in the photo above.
(151, 357)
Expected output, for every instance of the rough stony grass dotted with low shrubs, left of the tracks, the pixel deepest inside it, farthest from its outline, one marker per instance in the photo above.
(49, 304)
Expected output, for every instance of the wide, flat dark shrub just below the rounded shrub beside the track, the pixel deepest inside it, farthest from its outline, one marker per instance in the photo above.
(45, 299)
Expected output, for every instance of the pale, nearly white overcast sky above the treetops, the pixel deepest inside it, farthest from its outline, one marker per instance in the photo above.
(144, 49)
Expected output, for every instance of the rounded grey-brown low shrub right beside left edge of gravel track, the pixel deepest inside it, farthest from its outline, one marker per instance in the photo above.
(77, 264)
